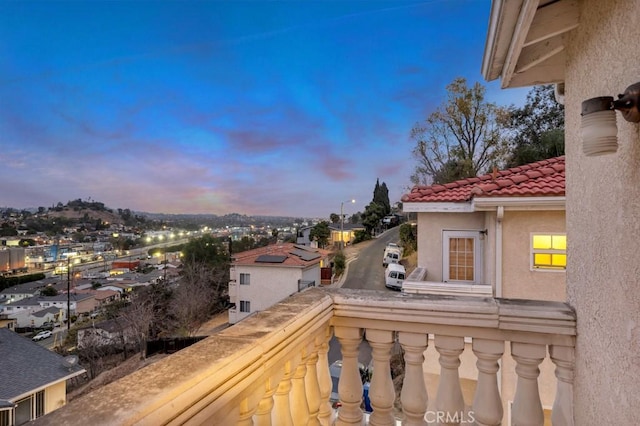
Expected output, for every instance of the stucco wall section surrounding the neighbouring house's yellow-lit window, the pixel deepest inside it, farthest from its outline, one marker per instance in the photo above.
(518, 280)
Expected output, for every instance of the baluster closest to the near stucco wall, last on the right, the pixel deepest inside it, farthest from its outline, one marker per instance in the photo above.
(563, 358)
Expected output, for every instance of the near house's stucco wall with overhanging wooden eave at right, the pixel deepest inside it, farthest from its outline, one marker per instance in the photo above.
(584, 49)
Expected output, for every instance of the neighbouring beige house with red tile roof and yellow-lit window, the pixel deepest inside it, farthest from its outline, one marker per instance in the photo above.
(502, 234)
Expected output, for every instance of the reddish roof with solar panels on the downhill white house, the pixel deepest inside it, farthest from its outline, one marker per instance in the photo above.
(285, 254)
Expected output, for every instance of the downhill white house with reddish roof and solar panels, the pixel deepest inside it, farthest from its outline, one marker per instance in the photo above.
(264, 276)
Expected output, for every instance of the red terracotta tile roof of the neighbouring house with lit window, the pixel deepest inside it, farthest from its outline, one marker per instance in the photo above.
(544, 178)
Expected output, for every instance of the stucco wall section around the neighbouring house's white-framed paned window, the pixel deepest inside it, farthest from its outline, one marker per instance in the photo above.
(430, 226)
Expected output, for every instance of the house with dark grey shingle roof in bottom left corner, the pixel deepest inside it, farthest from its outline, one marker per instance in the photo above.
(33, 379)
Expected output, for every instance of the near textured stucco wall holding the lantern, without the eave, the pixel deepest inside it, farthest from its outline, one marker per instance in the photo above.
(603, 219)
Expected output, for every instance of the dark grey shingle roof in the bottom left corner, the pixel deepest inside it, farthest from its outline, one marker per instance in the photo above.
(27, 367)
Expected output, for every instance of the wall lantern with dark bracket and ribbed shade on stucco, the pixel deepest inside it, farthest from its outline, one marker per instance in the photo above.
(599, 129)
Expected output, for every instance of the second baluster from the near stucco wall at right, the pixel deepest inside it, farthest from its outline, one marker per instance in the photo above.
(527, 408)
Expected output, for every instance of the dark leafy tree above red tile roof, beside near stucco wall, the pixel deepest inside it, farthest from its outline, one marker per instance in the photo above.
(537, 129)
